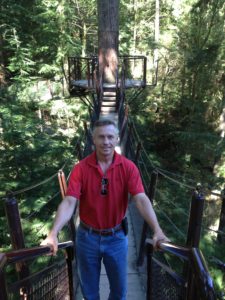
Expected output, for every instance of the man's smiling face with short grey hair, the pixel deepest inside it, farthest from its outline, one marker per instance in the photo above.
(105, 139)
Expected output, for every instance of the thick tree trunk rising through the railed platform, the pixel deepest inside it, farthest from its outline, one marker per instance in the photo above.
(108, 33)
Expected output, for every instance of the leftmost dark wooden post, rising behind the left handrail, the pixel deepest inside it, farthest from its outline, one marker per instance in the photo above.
(16, 233)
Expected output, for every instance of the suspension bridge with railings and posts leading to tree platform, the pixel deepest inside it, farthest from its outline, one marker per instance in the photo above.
(178, 271)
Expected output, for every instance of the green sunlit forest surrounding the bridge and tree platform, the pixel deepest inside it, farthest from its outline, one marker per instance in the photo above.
(181, 121)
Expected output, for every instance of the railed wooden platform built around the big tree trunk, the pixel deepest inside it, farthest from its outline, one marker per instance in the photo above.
(85, 77)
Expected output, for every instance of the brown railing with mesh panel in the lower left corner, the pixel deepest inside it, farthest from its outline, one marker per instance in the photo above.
(53, 282)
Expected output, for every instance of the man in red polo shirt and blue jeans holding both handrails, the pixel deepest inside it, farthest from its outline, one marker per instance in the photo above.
(101, 182)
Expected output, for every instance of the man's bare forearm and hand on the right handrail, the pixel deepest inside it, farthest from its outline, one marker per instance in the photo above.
(146, 210)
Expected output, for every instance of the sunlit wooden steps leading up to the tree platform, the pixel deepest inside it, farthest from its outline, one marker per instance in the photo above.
(108, 101)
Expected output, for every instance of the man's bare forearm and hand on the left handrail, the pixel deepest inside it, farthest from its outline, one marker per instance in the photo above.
(63, 215)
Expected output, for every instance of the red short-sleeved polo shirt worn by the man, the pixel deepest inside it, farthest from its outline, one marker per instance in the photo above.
(104, 211)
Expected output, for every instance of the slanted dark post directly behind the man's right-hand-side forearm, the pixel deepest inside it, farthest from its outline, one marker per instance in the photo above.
(151, 194)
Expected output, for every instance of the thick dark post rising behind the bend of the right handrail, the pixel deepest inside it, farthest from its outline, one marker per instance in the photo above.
(193, 238)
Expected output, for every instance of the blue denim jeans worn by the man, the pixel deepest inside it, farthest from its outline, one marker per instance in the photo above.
(91, 249)
